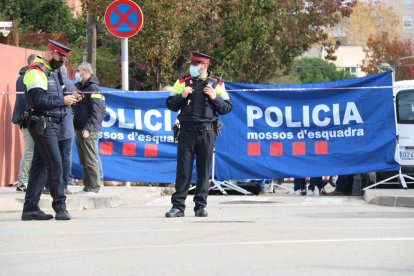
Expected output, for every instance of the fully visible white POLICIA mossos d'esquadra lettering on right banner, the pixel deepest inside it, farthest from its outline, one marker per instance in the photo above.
(320, 116)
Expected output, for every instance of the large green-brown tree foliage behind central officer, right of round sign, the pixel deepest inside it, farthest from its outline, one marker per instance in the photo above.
(248, 39)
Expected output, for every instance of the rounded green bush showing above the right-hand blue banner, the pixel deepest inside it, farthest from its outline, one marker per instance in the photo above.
(311, 70)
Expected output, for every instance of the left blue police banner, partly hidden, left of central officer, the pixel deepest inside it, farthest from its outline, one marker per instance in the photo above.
(136, 142)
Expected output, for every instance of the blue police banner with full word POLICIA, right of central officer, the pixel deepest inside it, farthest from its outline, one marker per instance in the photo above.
(332, 128)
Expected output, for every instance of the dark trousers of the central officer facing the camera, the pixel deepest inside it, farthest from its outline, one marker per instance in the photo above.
(195, 141)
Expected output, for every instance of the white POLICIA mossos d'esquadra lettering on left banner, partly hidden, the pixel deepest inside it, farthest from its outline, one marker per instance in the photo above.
(139, 129)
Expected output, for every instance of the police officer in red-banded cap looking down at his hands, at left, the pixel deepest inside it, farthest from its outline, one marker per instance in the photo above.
(45, 105)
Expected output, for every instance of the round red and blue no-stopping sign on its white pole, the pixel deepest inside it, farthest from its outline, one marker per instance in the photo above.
(123, 19)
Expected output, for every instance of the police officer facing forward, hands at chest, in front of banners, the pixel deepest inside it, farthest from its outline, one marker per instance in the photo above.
(200, 98)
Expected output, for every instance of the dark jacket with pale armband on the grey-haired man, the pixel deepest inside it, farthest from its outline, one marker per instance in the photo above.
(90, 112)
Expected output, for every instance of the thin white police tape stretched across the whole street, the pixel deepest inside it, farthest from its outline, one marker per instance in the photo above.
(245, 90)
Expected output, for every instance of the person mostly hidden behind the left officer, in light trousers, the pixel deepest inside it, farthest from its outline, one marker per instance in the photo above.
(19, 109)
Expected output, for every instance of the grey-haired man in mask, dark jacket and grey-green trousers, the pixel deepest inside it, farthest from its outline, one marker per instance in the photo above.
(89, 114)
